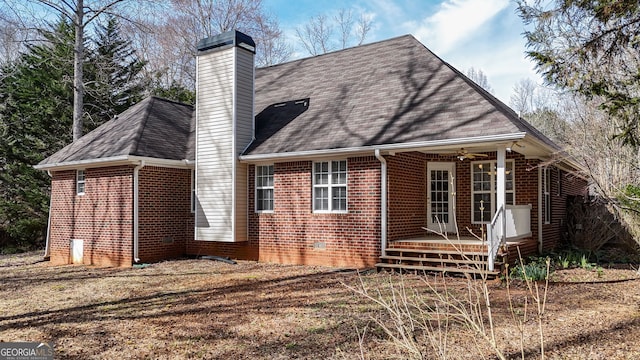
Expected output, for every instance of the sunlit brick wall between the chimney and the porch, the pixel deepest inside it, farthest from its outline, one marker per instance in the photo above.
(293, 234)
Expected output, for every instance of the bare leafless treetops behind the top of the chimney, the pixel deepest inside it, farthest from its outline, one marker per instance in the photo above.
(169, 38)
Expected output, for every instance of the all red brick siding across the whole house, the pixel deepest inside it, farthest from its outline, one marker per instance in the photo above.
(293, 233)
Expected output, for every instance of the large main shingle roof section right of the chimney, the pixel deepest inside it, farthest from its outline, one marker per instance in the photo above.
(389, 92)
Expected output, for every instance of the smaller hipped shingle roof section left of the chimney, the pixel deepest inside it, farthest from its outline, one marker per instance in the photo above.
(155, 127)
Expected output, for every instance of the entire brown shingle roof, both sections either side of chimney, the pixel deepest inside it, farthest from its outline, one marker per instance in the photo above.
(390, 92)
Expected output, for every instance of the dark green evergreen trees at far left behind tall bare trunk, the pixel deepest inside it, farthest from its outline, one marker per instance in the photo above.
(36, 114)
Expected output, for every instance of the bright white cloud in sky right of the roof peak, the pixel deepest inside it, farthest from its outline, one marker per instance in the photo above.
(455, 21)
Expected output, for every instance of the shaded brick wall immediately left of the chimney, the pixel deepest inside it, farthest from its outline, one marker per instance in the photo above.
(165, 218)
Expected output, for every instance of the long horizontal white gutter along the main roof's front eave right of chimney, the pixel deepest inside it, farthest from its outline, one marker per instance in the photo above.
(414, 146)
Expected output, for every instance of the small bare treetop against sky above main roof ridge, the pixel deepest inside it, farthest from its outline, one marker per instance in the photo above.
(317, 36)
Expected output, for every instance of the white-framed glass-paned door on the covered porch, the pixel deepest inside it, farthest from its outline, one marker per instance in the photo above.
(441, 185)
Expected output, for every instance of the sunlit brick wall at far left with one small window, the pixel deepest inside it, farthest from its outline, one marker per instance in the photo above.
(102, 217)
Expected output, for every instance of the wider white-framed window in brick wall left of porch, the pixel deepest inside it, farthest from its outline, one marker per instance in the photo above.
(330, 186)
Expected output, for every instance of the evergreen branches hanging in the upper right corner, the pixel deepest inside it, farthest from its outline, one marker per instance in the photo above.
(590, 47)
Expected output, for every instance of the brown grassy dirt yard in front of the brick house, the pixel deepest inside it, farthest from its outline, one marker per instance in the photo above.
(201, 309)
